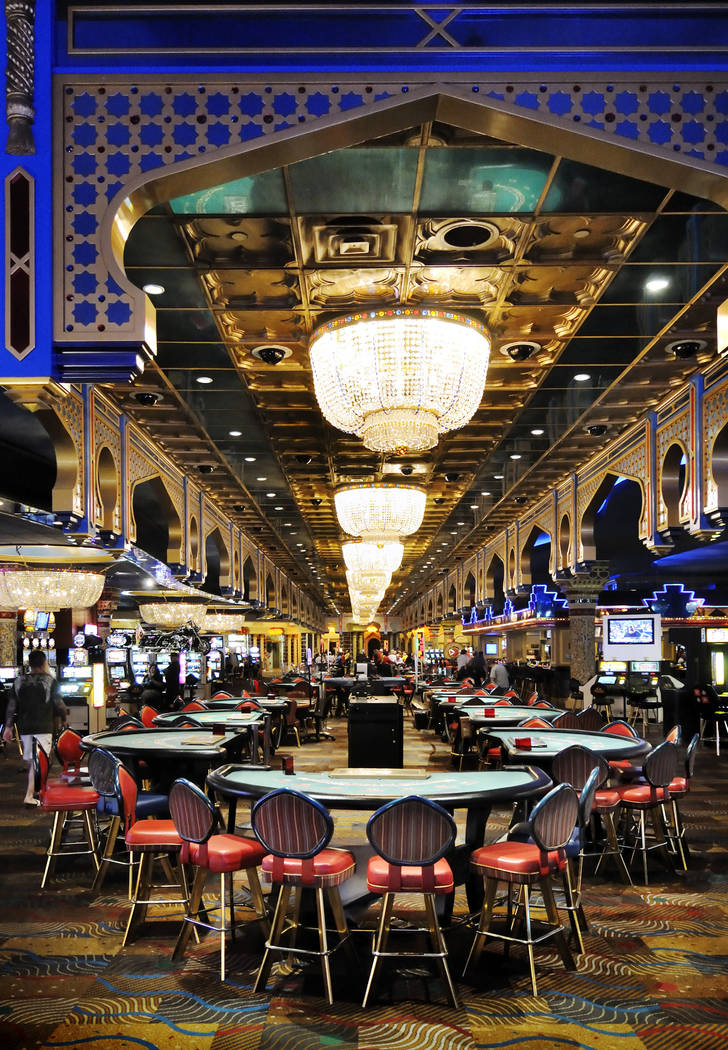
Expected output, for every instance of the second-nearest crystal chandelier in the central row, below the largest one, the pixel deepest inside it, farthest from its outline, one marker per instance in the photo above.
(381, 513)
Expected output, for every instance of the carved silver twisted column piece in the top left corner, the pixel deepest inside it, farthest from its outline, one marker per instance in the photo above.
(20, 16)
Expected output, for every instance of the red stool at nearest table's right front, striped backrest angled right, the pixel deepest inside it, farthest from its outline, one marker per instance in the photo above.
(526, 866)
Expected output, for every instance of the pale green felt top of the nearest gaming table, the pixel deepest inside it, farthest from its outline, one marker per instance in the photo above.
(372, 790)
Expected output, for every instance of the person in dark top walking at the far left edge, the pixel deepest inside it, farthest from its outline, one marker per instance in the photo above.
(34, 704)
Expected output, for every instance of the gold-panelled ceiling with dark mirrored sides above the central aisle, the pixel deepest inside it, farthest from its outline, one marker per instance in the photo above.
(595, 275)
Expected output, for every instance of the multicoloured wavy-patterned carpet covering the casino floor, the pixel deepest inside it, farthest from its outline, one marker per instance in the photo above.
(654, 976)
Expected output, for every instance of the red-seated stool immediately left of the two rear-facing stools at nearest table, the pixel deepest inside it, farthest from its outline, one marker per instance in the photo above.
(197, 822)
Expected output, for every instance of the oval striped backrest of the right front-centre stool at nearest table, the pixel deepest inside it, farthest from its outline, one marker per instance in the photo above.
(411, 831)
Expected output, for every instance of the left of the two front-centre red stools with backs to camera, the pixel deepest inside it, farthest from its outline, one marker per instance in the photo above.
(296, 830)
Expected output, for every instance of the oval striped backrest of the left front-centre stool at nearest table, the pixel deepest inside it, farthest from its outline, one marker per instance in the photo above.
(289, 824)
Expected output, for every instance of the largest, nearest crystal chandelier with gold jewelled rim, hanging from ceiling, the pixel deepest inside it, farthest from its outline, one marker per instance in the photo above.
(399, 379)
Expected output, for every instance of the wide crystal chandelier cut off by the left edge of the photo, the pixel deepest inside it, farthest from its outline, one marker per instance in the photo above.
(50, 591)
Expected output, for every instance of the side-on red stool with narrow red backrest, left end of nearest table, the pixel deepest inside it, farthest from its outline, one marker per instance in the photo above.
(153, 841)
